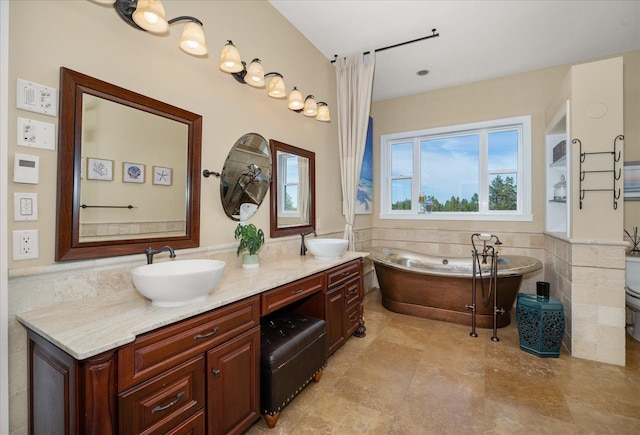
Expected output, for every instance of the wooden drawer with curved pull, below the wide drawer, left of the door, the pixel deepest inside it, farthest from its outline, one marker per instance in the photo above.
(162, 403)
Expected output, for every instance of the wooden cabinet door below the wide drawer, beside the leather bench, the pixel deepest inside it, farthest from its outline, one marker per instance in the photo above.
(232, 384)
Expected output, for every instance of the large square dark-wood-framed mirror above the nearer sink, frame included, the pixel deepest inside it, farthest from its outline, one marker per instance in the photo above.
(128, 171)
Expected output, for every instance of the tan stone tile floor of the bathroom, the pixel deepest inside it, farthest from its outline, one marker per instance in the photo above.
(415, 376)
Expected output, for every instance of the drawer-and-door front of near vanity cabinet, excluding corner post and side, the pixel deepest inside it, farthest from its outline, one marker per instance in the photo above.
(189, 367)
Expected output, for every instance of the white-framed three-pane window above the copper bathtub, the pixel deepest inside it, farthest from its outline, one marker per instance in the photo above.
(463, 172)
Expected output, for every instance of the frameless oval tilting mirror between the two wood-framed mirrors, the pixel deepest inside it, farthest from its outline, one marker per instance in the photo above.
(245, 177)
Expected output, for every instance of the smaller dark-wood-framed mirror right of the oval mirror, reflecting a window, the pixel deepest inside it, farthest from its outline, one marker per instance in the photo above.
(293, 189)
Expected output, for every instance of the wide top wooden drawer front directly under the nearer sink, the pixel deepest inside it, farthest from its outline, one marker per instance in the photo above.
(157, 351)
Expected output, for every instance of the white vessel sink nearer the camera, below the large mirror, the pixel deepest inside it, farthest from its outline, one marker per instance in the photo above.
(179, 282)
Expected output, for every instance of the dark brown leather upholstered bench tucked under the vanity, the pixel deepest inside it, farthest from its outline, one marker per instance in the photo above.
(293, 352)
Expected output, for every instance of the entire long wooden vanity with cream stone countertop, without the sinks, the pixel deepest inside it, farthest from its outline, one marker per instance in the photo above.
(119, 365)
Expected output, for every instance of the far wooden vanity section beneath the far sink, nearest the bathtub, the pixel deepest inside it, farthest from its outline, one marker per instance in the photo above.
(343, 303)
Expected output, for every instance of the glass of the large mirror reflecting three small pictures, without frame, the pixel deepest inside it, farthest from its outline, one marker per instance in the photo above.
(125, 189)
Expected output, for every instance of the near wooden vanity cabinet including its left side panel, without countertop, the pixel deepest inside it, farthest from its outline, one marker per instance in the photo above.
(170, 380)
